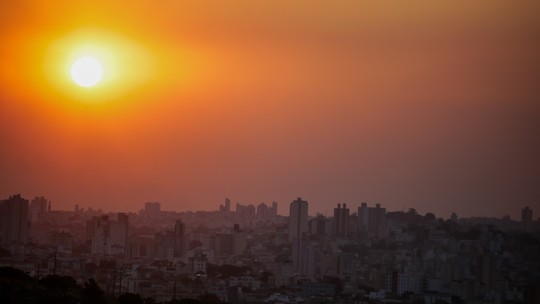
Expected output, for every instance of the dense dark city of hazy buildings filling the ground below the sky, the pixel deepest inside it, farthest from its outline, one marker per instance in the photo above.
(250, 254)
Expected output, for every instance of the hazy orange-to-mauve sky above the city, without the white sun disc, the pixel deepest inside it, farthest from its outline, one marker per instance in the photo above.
(426, 104)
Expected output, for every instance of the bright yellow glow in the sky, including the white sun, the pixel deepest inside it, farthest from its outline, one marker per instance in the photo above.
(97, 67)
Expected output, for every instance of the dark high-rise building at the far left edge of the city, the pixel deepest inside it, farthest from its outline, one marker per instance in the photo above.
(14, 220)
